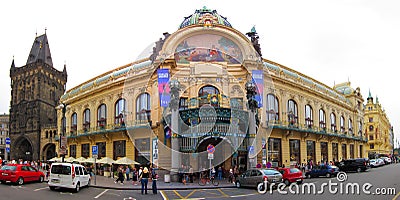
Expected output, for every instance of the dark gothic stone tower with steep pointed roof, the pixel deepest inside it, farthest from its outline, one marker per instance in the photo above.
(35, 91)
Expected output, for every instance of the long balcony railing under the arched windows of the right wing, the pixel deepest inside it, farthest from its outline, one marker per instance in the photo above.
(312, 129)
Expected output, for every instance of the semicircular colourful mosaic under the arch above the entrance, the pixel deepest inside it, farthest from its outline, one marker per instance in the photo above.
(208, 48)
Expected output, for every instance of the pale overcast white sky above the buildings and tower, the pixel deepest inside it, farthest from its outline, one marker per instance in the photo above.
(330, 41)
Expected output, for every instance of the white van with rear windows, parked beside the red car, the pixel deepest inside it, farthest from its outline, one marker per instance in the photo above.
(68, 175)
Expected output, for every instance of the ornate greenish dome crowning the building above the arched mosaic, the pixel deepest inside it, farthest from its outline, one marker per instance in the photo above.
(206, 17)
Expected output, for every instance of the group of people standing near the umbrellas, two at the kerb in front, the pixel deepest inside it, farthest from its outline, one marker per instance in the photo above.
(142, 175)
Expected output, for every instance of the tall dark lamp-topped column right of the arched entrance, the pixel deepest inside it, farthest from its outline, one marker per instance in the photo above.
(251, 89)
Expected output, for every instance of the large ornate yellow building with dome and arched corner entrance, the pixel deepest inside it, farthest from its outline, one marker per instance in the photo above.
(205, 96)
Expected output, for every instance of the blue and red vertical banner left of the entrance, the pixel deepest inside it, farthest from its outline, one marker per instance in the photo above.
(163, 88)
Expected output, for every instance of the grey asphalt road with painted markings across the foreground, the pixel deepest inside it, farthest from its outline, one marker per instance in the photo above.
(383, 179)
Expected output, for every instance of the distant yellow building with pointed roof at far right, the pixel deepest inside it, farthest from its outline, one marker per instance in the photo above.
(378, 130)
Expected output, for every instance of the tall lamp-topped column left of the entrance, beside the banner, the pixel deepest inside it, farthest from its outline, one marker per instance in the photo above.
(175, 87)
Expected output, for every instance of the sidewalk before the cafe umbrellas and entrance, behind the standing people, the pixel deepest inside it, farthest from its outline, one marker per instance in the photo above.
(108, 183)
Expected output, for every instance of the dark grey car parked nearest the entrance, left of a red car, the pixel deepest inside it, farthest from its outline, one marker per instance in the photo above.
(252, 177)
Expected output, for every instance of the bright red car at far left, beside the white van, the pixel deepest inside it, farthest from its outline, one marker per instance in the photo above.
(19, 174)
